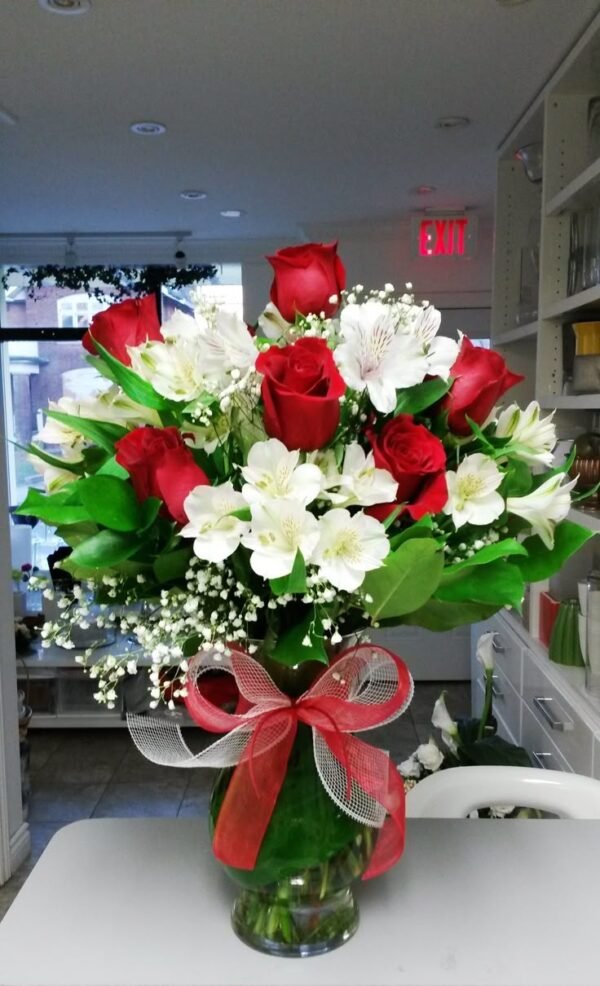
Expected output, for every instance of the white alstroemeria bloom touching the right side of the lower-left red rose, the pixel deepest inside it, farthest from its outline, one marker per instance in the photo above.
(216, 532)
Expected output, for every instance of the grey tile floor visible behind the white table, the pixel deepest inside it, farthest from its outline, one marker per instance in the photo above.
(98, 773)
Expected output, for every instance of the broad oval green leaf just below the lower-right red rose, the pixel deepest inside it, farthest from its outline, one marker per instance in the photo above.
(408, 577)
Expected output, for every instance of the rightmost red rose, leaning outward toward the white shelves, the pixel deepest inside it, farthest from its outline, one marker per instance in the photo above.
(480, 378)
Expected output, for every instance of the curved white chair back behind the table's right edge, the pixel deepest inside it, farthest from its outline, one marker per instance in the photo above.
(455, 792)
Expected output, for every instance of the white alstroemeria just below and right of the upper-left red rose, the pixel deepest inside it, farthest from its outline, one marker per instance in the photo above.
(175, 369)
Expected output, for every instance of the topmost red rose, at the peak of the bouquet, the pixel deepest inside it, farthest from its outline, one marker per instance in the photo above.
(306, 277)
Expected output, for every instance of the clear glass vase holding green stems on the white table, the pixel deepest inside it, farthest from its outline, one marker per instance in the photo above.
(298, 900)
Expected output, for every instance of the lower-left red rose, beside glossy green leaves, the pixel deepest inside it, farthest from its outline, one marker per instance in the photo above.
(160, 464)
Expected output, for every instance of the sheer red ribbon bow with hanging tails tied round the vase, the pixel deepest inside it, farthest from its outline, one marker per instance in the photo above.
(343, 700)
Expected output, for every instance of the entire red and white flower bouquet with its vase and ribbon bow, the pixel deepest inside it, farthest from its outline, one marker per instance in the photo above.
(244, 503)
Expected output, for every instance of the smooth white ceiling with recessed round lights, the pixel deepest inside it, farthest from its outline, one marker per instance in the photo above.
(297, 111)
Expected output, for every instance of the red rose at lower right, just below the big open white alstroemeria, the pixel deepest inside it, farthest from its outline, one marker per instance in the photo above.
(416, 460)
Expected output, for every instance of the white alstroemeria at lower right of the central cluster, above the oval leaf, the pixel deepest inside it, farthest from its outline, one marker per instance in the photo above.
(349, 546)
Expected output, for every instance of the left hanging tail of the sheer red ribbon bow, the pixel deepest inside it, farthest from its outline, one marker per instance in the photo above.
(250, 800)
